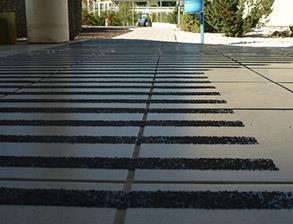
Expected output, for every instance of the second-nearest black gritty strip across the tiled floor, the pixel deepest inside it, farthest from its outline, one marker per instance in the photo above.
(141, 163)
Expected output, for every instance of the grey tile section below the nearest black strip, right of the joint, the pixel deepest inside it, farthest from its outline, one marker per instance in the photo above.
(215, 216)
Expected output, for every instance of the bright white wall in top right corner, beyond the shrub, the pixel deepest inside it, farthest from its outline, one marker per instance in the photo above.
(282, 14)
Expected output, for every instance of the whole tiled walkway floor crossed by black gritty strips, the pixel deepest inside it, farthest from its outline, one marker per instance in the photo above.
(116, 131)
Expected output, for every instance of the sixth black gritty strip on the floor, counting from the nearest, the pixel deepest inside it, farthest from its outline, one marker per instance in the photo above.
(111, 101)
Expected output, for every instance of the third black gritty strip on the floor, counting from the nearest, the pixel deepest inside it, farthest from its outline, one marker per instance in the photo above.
(210, 140)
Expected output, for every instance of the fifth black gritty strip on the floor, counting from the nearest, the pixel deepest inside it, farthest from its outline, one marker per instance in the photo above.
(109, 110)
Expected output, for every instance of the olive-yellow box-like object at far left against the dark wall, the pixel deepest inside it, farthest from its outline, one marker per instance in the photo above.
(7, 28)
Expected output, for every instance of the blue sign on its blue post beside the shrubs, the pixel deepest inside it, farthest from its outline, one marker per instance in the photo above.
(196, 7)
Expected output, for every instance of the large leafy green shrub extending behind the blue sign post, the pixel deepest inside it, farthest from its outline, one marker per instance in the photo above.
(235, 18)
